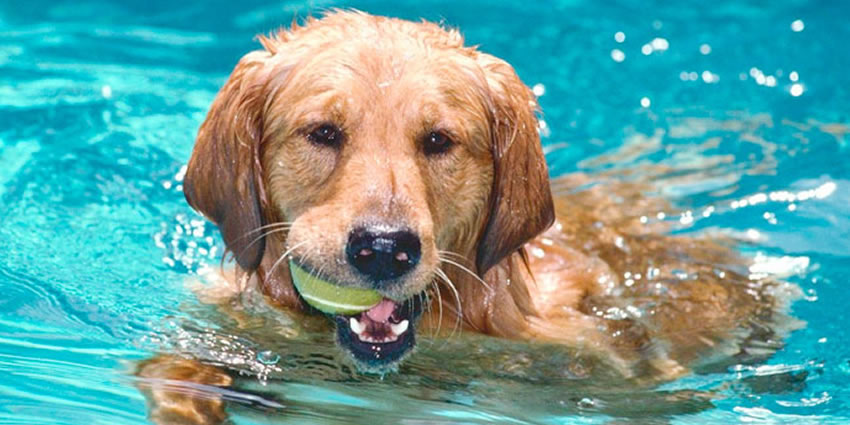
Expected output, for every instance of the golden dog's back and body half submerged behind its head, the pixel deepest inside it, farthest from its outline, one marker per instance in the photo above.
(662, 303)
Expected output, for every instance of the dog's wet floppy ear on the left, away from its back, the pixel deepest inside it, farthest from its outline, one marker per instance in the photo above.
(222, 178)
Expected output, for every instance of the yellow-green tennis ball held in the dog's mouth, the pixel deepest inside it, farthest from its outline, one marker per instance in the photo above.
(331, 298)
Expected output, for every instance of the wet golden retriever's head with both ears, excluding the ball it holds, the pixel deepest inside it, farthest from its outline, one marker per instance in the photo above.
(365, 150)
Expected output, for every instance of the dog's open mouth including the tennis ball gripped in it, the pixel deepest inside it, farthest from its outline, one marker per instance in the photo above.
(376, 331)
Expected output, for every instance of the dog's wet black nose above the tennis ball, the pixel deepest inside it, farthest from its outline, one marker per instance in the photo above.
(381, 255)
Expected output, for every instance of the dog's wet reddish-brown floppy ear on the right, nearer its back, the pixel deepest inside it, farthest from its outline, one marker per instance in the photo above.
(521, 200)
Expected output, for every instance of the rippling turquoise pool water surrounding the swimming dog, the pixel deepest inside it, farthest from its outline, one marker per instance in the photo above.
(736, 111)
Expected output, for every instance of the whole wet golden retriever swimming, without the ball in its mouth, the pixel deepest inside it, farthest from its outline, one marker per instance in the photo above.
(387, 155)
